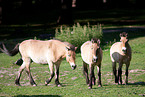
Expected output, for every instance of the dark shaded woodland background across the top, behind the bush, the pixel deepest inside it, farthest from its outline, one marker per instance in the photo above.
(29, 18)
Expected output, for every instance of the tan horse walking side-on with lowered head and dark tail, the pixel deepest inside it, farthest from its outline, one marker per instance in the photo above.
(44, 52)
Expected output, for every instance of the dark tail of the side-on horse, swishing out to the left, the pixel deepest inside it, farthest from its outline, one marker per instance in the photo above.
(12, 52)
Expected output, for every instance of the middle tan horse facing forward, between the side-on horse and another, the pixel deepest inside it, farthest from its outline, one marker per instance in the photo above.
(91, 53)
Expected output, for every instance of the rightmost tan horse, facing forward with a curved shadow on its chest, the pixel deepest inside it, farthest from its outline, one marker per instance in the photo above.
(120, 52)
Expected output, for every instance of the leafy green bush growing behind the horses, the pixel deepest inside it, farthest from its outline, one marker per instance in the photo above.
(78, 34)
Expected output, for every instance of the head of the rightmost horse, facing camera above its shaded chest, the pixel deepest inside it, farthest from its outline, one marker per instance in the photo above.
(124, 41)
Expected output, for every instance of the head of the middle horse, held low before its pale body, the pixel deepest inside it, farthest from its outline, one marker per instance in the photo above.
(95, 47)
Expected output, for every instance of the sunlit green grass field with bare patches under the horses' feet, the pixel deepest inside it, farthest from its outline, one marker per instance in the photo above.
(73, 81)
